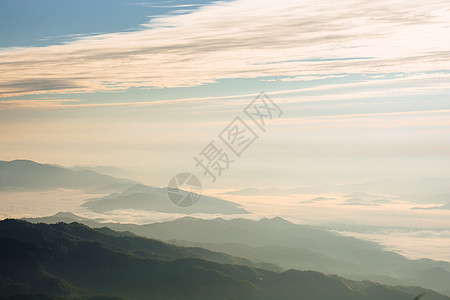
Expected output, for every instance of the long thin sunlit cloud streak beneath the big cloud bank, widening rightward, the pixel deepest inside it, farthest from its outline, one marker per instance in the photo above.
(409, 85)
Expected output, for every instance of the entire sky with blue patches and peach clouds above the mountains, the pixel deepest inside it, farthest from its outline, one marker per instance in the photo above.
(363, 87)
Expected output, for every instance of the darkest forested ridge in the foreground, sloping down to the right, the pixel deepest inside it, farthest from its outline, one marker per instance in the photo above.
(74, 261)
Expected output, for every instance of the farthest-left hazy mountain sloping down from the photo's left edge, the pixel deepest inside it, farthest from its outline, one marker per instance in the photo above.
(27, 175)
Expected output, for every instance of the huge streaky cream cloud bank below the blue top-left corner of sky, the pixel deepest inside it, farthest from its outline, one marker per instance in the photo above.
(236, 40)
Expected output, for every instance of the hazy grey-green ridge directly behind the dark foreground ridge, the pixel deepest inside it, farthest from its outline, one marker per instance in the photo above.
(289, 245)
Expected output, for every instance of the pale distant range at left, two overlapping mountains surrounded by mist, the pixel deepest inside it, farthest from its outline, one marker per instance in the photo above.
(26, 175)
